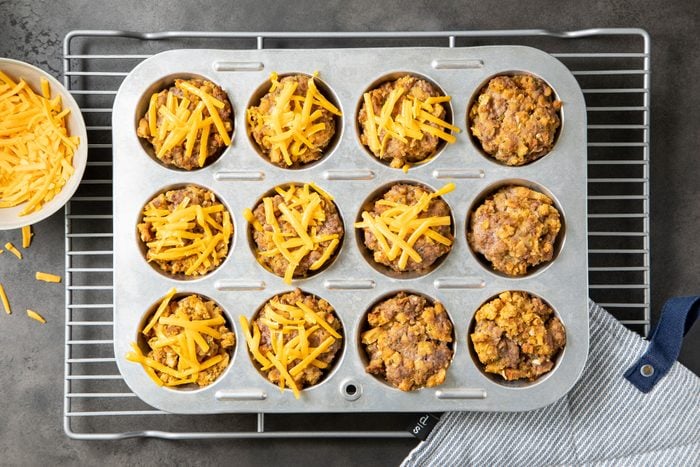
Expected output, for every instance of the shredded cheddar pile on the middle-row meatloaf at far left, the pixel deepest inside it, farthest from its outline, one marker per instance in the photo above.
(188, 232)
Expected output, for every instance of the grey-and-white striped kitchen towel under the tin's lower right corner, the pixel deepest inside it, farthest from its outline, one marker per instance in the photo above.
(603, 420)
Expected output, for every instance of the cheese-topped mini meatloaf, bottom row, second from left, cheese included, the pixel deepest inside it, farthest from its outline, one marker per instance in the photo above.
(280, 320)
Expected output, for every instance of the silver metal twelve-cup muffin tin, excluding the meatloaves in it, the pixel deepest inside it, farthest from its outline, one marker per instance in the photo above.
(461, 282)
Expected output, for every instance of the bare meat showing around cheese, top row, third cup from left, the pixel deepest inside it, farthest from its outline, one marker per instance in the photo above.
(399, 153)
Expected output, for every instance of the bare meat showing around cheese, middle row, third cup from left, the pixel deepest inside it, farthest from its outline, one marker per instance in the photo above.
(428, 249)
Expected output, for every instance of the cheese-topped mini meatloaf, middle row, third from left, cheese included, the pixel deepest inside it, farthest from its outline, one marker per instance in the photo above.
(397, 219)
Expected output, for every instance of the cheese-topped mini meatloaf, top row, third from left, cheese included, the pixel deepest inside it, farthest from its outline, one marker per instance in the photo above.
(409, 142)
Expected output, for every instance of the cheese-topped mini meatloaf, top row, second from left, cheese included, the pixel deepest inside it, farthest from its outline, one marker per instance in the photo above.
(287, 134)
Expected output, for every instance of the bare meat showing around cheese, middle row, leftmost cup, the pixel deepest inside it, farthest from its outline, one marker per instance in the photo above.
(170, 200)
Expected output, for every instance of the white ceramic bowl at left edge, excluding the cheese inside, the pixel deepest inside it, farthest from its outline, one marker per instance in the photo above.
(9, 217)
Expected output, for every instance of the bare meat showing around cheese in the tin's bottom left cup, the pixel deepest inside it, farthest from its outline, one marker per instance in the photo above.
(195, 308)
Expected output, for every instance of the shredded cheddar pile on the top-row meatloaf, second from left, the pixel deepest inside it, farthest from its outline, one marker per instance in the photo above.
(292, 120)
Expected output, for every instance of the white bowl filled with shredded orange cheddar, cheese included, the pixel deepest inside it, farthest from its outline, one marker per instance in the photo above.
(43, 144)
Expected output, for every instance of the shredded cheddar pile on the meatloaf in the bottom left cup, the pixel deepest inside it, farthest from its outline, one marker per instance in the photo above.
(187, 342)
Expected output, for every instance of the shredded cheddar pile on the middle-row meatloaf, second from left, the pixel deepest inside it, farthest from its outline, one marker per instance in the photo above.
(302, 209)
